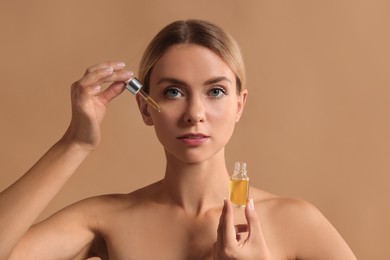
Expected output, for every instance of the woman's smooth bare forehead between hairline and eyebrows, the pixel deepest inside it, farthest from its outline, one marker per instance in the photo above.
(192, 63)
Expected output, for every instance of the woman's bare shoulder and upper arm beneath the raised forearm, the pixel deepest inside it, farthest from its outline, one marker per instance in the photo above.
(74, 232)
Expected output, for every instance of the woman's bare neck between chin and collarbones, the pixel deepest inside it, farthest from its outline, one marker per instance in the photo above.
(196, 187)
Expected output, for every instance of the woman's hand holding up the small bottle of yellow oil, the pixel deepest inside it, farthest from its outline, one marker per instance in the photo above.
(229, 244)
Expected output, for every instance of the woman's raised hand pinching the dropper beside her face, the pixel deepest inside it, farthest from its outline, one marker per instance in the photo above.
(89, 103)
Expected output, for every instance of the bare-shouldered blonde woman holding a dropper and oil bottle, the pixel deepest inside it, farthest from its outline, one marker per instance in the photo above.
(195, 73)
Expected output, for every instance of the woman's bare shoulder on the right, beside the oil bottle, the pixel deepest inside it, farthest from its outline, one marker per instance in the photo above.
(303, 227)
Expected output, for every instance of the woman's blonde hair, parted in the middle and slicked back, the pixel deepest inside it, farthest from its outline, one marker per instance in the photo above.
(197, 32)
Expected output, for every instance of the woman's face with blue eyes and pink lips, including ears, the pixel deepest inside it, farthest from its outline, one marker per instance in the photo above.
(196, 91)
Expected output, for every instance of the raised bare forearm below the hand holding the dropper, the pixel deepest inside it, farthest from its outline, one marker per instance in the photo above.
(22, 202)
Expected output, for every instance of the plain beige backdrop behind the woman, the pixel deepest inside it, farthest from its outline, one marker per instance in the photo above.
(316, 125)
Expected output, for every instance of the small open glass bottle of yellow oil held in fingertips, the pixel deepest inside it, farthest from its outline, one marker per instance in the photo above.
(239, 185)
